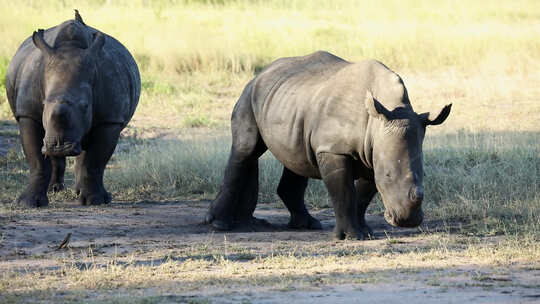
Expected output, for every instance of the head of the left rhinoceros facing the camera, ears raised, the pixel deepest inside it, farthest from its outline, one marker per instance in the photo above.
(69, 76)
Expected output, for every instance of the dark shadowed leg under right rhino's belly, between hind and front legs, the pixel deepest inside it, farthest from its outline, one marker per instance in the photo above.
(291, 190)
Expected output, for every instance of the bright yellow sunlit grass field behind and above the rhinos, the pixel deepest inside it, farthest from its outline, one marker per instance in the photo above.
(195, 56)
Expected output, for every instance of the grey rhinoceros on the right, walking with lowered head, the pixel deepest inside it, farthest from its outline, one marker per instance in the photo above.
(349, 124)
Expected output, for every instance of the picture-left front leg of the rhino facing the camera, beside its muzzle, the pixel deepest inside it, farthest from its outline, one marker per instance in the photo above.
(35, 194)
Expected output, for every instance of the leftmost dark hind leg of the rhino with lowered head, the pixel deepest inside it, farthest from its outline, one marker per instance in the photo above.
(237, 199)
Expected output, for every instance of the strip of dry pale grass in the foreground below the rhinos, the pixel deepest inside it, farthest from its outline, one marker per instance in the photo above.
(305, 266)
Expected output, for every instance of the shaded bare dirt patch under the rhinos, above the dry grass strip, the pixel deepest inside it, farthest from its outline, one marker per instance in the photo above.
(123, 228)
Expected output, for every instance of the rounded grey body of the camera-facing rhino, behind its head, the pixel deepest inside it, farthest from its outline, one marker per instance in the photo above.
(116, 90)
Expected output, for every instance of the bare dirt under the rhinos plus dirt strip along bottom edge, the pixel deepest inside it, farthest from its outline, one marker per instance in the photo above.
(147, 230)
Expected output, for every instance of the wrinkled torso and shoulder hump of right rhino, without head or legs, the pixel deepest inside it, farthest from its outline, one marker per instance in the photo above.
(314, 104)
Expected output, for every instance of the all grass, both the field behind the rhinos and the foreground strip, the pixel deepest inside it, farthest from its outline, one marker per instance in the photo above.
(482, 166)
